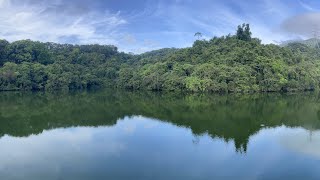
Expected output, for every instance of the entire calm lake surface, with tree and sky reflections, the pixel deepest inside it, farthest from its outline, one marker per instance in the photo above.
(144, 136)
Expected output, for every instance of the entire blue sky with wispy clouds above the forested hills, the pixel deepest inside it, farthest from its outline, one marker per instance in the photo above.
(142, 25)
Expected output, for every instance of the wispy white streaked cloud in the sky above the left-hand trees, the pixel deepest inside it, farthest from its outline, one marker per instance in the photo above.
(49, 22)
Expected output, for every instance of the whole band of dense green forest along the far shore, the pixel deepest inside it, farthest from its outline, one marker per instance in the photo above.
(232, 63)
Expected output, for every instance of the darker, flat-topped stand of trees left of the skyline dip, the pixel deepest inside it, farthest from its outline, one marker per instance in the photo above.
(28, 65)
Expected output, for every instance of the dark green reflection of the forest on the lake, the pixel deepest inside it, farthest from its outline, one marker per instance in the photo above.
(229, 117)
